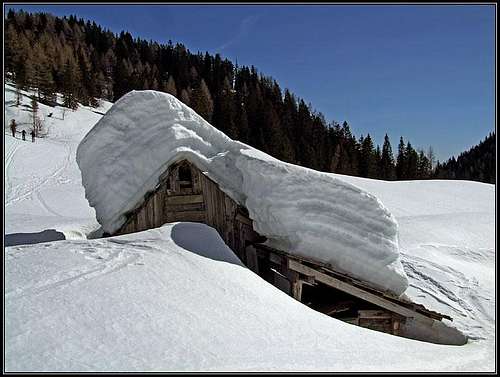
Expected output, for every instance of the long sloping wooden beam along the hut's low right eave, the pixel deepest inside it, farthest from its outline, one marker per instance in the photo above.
(355, 291)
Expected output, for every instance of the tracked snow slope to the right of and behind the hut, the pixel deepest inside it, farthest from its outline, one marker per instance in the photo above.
(447, 238)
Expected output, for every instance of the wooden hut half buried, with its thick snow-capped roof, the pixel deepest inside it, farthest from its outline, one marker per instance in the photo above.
(327, 243)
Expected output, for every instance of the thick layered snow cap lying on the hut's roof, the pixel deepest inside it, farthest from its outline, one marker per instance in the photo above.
(300, 210)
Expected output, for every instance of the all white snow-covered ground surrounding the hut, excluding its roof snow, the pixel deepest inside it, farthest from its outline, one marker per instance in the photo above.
(176, 298)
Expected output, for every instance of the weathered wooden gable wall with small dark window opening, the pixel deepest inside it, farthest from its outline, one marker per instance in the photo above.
(203, 201)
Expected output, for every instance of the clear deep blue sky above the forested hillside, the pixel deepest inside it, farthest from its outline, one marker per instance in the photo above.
(426, 73)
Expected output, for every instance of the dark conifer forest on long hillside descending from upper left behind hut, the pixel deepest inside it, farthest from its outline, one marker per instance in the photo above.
(85, 62)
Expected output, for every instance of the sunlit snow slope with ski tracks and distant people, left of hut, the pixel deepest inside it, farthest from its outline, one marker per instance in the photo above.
(44, 197)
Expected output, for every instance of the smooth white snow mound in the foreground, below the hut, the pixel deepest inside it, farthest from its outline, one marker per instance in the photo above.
(166, 300)
